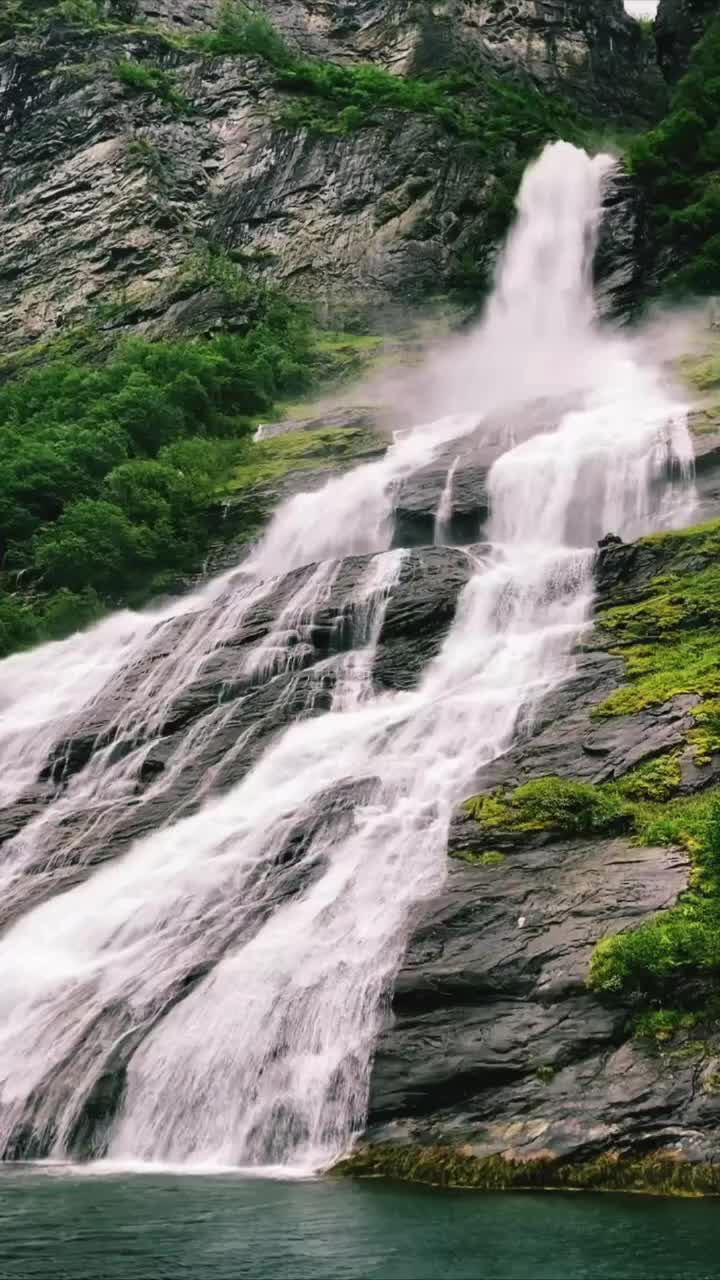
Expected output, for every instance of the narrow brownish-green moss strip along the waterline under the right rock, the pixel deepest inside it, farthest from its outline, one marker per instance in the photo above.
(458, 1168)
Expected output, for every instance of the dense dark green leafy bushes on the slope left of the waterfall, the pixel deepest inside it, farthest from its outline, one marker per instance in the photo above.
(108, 473)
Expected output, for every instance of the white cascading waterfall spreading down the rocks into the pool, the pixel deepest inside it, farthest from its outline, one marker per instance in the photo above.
(213, 995)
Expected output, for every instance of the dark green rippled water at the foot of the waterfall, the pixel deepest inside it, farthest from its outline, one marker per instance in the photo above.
(60, 1227)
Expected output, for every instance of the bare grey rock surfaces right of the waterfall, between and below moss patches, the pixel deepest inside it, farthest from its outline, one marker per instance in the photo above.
(495, 1045)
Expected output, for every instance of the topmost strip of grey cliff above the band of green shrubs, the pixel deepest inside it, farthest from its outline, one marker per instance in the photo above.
(593, 52)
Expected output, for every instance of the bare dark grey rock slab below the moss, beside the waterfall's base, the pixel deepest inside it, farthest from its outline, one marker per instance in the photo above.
(495, 1043)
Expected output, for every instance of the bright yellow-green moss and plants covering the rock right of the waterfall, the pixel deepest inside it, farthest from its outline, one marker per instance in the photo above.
(669, 642)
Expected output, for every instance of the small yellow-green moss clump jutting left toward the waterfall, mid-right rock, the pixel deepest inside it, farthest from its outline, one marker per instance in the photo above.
(552, 804)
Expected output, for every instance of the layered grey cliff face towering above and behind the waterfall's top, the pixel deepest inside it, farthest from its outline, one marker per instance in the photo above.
(106, 193)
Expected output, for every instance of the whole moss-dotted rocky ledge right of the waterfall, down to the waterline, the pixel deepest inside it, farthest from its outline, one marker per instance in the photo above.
(502, 1066)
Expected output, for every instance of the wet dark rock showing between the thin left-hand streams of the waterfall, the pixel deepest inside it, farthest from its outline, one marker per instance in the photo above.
(184, 747)
